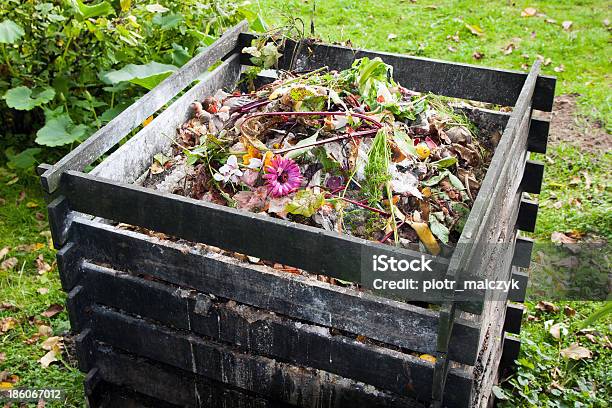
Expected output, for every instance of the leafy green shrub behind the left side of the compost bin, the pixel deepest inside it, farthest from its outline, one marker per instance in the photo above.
(67, 67)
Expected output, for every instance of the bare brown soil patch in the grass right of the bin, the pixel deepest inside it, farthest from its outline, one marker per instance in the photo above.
(568, 127)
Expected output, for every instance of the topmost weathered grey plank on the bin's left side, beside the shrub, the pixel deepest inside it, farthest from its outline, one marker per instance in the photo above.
(101, 141)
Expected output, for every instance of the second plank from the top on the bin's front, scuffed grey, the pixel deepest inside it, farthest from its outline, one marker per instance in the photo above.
(297, 296)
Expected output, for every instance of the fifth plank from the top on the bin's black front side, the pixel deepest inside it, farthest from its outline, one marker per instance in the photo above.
(166, 383)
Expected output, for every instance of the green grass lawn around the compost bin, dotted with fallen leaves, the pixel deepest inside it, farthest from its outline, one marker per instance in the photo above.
(426, 28)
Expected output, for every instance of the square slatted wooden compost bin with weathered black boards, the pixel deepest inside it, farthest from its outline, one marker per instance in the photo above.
(162, 323)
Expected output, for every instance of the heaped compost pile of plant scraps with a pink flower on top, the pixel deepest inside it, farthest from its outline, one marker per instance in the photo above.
(350, 151)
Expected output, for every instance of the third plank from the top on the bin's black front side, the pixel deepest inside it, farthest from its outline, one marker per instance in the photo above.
(262, 333)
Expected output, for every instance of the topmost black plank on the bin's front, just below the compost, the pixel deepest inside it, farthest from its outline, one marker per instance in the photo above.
(305, 247)
